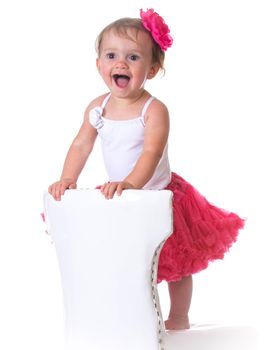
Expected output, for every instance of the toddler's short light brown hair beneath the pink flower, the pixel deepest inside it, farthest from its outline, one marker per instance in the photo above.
(122, 26)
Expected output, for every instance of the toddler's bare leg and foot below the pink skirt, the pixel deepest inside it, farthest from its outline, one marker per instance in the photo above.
(180, 299)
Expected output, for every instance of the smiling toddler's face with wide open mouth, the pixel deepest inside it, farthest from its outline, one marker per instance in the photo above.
(124, 64)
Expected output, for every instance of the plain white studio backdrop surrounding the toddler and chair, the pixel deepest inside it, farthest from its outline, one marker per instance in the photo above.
(222, 89)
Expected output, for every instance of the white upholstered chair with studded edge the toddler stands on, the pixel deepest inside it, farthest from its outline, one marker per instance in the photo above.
(107, 252)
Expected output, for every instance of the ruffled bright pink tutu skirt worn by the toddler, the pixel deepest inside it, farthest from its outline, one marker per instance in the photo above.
(202, 233)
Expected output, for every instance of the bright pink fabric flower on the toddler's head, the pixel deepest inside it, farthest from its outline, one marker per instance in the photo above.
(155, 24)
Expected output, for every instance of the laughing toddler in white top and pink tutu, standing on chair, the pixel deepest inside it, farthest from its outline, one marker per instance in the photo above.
(133, 127)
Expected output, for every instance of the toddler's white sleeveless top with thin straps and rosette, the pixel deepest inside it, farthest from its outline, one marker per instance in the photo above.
(122, 144)
